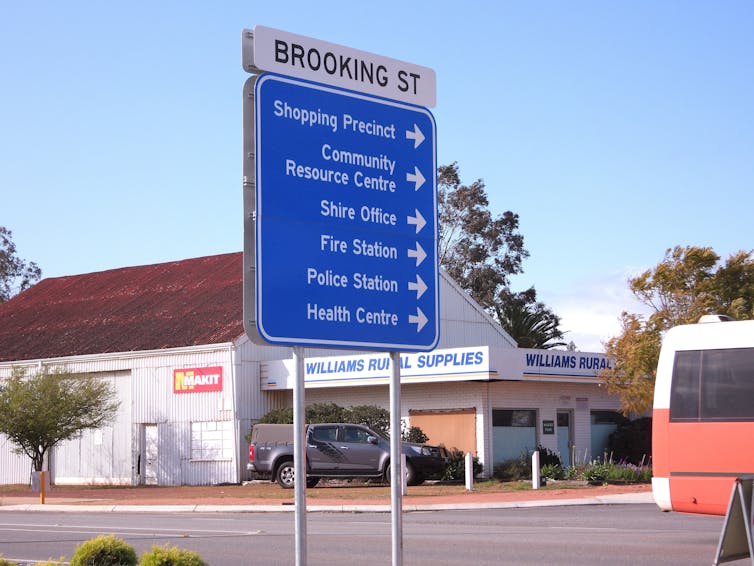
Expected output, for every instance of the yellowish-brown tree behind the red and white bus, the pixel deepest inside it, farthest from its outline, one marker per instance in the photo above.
(688, 283)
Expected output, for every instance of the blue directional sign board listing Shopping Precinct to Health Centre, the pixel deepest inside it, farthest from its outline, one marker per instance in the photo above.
(346, 218)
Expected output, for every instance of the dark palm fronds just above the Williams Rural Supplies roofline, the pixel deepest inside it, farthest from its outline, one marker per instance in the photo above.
(529, 322)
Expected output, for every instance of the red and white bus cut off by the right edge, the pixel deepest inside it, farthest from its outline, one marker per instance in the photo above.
(703, 418)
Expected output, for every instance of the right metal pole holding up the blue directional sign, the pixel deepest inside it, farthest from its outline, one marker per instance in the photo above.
(396, 479)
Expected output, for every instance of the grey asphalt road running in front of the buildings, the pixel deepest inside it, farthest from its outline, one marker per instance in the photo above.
(582, 535)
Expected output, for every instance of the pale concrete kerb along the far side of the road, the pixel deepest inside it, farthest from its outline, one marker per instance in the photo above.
(613, 499)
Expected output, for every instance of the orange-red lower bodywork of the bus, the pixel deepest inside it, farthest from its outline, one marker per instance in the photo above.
(700, 450)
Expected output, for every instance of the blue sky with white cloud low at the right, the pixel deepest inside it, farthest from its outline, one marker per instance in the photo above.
(614, 129)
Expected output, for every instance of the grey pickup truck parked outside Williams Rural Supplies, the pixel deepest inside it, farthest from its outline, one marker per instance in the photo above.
(337, 450)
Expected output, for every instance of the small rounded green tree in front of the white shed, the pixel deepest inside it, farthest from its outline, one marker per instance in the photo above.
(41, 410)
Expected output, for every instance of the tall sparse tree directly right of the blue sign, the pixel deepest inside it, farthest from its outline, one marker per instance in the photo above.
(478, 250)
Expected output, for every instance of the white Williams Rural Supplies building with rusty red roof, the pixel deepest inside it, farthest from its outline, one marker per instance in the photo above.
(170, 338)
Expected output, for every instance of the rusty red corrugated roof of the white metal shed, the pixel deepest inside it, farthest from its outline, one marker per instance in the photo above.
(150, 307)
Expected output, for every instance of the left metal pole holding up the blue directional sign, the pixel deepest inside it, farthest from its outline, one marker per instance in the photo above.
(299, 454)
